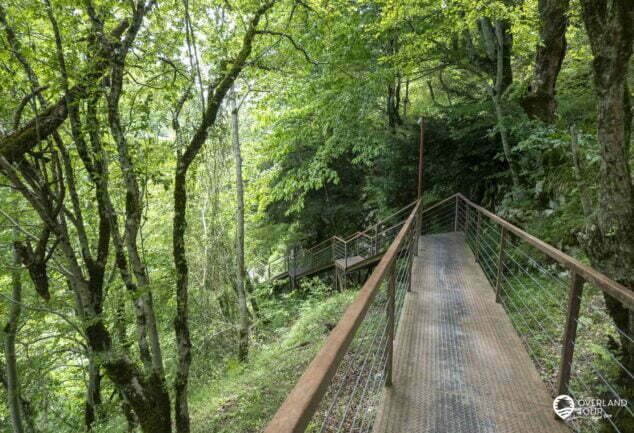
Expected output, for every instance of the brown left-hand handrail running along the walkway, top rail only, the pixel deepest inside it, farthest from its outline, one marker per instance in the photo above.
(300, 405)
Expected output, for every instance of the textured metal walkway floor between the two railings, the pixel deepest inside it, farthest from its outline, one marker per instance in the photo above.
(459, 365)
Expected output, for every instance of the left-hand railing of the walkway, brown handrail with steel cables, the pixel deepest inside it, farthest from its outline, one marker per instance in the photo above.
(340, 390)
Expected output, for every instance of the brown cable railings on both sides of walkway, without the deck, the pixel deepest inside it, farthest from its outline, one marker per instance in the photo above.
(572, 343)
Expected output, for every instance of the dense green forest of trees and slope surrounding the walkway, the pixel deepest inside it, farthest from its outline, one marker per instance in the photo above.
(153, 153)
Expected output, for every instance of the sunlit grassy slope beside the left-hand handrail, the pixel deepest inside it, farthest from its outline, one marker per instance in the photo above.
(246, 395)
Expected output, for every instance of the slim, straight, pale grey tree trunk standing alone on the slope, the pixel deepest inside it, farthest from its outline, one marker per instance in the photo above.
(243, 348)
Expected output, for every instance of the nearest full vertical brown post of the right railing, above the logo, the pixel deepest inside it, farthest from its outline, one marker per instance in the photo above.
(570, 332)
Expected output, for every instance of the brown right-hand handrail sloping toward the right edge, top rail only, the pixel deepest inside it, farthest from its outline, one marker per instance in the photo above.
(591, 275)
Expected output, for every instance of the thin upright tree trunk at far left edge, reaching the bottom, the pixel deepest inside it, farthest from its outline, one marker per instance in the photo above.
(10, 330)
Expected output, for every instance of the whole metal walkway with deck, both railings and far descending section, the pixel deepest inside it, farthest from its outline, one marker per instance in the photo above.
(465, 324)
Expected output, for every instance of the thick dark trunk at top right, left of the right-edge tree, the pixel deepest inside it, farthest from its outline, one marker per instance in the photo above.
(540, 100)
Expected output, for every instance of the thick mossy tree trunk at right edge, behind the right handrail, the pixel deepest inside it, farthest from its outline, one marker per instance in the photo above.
(610, 26)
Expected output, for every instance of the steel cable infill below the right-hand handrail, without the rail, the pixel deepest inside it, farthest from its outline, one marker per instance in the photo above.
(534, 292)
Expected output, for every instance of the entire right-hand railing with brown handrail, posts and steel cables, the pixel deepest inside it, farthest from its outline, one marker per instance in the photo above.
(576, 346)
